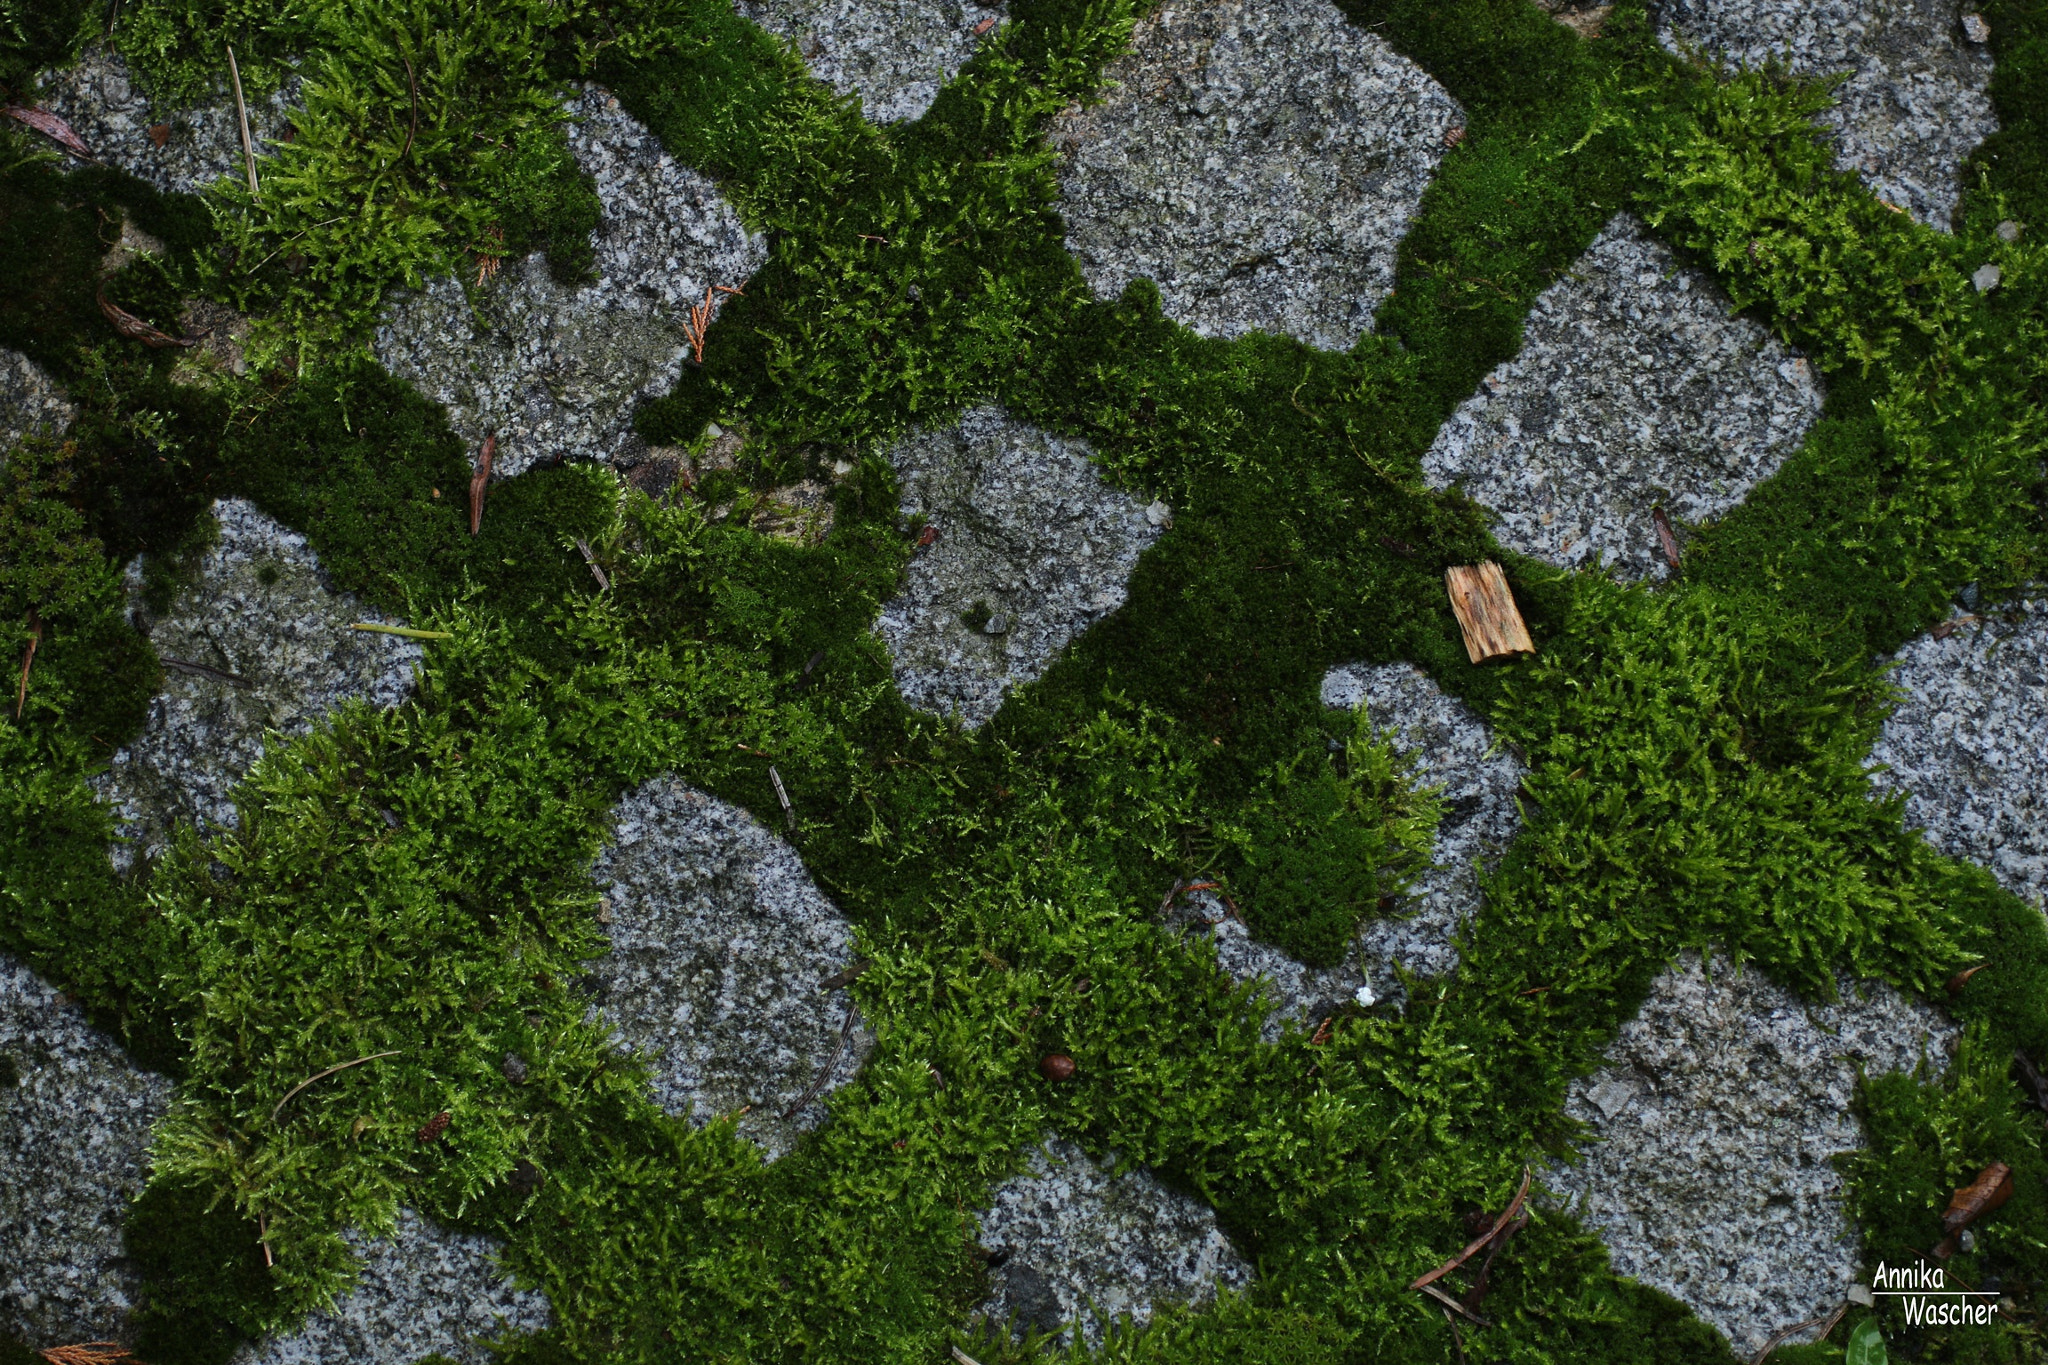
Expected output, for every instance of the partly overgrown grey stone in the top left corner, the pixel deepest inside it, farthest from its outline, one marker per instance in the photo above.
(110, 114)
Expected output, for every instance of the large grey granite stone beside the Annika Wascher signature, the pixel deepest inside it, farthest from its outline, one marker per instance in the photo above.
(1713, 1125)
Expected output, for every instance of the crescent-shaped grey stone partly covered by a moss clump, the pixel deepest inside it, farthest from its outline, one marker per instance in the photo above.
(1451, 750)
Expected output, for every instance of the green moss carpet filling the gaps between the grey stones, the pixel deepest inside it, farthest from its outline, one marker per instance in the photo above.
(1695, 752)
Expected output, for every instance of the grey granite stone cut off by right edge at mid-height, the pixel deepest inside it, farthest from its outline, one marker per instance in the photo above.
(1967, 744)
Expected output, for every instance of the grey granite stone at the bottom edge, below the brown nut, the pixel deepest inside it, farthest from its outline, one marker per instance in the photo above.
(1091, 1249)
